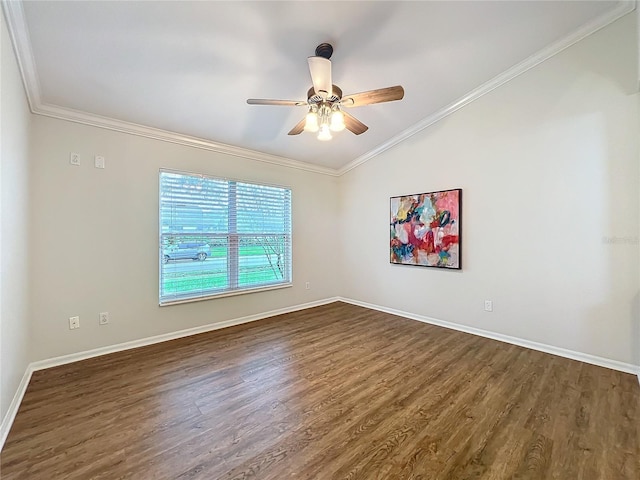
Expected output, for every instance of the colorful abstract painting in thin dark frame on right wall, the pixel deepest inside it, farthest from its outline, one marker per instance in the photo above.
(425, 229)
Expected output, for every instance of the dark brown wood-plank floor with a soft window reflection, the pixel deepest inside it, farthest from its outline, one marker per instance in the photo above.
(333, 392)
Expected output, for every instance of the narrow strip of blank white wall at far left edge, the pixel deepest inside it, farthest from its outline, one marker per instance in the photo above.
(14, 225)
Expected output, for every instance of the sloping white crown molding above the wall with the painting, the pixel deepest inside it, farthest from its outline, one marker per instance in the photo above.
(624, 7)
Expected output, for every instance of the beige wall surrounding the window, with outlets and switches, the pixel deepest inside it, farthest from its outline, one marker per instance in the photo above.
(95, 238)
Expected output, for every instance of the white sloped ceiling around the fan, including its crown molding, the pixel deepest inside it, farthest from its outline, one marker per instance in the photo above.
(187, 68)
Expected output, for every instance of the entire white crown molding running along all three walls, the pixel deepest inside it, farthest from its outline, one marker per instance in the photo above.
(14, 14)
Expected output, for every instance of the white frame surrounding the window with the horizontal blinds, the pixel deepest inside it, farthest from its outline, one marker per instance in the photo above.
(286, 283)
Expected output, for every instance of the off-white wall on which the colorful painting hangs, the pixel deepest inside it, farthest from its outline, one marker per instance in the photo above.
(548, 164)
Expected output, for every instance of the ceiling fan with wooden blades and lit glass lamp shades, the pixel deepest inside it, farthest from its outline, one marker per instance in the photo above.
(325, 100)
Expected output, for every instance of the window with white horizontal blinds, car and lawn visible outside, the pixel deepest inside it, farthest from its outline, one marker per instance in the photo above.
(220, 236)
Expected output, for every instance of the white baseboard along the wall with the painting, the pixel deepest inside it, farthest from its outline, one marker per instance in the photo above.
(541, 347)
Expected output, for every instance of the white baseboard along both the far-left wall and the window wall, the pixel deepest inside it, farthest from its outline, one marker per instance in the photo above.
(10, 416)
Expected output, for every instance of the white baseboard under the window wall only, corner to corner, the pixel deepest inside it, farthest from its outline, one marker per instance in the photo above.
(96, 352)
